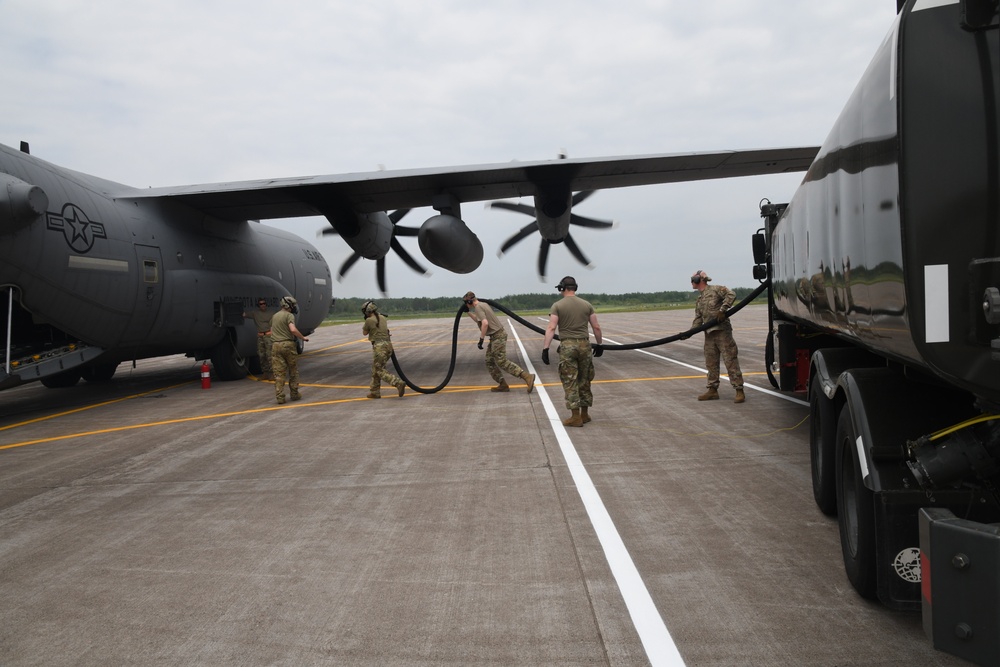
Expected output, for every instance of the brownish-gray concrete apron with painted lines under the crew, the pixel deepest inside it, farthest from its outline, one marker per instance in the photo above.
(150, 521)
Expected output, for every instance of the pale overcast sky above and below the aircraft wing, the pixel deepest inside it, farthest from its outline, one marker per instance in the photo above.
(159, 94)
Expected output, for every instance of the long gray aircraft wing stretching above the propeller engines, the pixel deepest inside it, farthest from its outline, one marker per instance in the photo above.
(389, 190)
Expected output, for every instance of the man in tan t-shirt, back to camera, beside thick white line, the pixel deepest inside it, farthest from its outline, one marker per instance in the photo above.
(571, 315)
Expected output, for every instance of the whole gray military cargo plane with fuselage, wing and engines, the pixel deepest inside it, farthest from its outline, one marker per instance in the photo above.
(95, 273)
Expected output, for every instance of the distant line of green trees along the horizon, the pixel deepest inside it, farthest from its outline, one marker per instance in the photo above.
(350, 307)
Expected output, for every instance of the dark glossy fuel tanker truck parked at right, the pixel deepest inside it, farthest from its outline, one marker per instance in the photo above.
(884, 302)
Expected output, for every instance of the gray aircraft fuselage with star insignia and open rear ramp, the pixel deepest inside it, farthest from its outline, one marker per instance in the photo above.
(90, 277)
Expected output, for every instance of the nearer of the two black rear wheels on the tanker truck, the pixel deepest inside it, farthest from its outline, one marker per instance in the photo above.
(856, 510)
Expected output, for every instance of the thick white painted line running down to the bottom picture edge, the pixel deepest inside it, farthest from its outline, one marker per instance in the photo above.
(656, 640)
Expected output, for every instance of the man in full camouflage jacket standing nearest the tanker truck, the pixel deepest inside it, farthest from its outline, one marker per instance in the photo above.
(713, 302)
